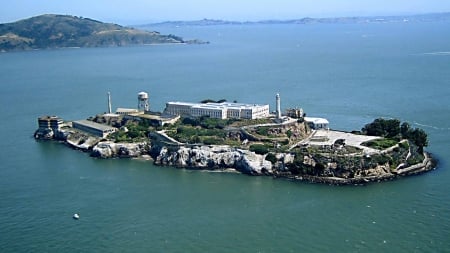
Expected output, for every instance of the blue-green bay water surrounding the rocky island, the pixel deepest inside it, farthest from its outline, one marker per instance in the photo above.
(349, 74)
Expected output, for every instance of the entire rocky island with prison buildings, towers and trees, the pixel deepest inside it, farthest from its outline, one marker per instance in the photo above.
(247, 138)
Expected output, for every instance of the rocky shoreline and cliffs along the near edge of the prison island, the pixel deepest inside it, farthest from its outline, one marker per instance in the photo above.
(223, 158)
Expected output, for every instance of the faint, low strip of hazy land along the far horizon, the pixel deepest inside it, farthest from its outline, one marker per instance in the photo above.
(338, 20)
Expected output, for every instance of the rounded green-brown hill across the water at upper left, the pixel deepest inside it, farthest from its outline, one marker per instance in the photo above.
(59, 31)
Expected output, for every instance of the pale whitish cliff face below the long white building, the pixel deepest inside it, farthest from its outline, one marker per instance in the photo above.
(212, 157)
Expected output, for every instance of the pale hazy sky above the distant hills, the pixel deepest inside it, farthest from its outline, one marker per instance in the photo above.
(142, 11)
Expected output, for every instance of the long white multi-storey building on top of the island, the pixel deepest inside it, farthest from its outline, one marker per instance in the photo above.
(218, 110)
